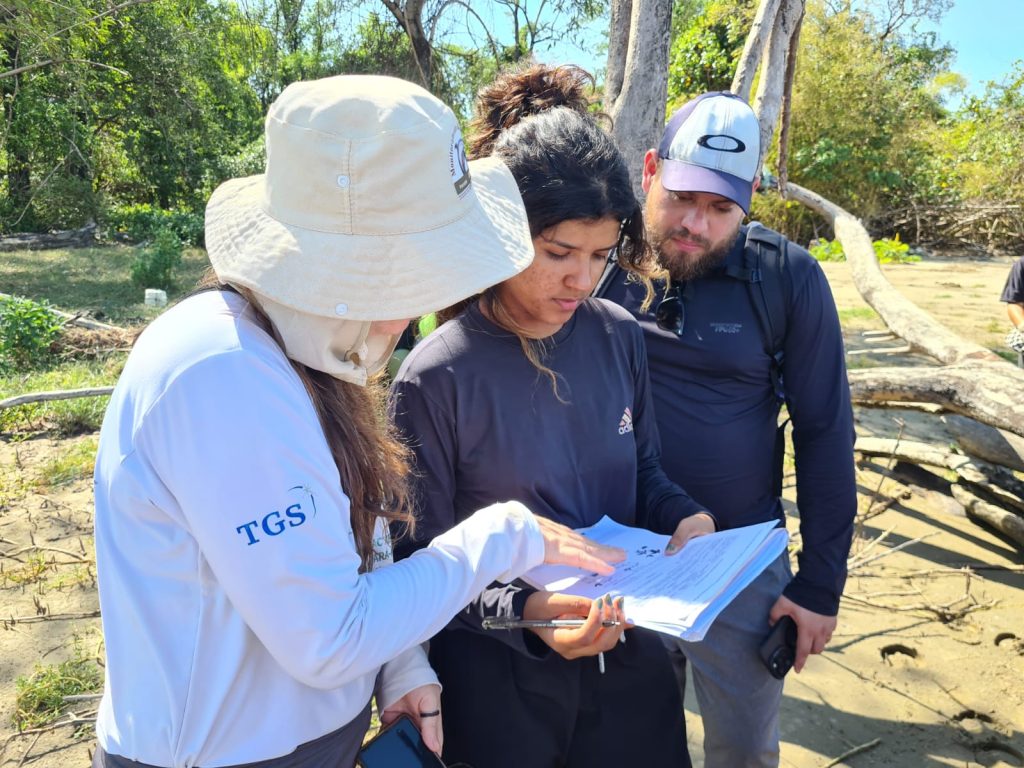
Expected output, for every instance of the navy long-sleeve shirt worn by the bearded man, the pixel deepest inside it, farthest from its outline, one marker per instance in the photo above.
(717, 413)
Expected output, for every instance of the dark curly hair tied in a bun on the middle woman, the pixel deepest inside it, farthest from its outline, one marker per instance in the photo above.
(538, 120)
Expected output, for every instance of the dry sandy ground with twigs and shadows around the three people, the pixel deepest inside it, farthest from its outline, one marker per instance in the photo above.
(927, 667)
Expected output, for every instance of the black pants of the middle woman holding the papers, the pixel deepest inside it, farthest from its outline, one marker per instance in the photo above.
(505, 710)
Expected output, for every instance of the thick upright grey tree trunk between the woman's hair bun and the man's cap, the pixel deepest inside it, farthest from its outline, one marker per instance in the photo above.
(639, 108)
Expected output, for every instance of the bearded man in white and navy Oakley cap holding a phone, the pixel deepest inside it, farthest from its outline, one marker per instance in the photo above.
(718, 388)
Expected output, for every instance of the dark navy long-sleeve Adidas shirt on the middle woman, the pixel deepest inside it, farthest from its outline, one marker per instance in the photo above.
(486, 425)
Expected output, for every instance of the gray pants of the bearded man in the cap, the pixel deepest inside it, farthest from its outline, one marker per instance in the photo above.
(739, 699)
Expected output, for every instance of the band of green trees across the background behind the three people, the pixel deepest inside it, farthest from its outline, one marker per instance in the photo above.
(113, 112)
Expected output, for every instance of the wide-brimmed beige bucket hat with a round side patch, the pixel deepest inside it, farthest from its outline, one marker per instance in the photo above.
(368, 209)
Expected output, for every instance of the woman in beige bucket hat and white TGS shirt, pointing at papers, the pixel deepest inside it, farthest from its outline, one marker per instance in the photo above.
(244, 480)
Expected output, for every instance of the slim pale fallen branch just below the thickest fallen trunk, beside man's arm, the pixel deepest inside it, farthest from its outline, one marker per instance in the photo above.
(999, 482)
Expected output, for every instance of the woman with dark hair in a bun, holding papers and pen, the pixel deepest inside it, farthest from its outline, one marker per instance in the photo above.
(534, 392)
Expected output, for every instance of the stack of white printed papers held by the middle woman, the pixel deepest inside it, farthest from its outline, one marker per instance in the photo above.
(680, 594)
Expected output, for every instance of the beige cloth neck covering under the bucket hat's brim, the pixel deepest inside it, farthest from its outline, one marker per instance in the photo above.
(342, 349)
